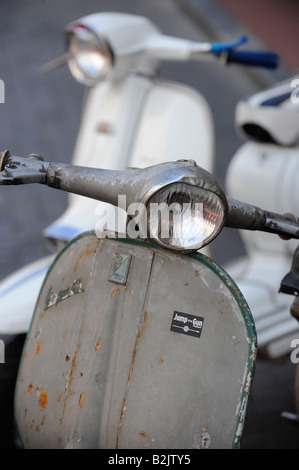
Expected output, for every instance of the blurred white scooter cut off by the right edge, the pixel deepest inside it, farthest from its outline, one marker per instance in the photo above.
(265, 171)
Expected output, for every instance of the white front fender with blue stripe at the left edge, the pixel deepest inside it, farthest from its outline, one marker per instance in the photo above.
(18, 295)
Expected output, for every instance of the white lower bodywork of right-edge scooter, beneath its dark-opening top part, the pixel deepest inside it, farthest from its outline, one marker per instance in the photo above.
(266, 175)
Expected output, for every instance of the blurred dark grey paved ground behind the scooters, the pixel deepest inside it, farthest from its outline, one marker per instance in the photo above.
(41, 114)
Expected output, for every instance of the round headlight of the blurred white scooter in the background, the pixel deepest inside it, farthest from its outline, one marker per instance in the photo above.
(89, 56)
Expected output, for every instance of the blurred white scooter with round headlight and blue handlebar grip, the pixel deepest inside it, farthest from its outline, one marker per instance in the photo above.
(130, 119)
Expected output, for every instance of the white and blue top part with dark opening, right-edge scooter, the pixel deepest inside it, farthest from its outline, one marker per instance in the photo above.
(271, 116)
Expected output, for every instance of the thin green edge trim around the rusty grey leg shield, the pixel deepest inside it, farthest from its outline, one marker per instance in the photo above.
(225, 277)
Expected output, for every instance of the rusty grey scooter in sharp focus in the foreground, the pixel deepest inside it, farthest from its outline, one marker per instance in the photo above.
(137, 340)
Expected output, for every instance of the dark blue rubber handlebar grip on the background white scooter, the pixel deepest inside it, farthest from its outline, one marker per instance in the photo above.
(269, 60)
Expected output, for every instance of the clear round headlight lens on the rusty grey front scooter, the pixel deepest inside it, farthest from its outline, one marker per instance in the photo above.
(183, 217)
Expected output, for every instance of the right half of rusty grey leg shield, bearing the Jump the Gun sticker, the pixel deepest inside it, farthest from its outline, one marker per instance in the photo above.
(193, 376)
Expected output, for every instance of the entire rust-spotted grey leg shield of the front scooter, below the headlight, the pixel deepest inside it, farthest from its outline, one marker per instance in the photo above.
(132, 347)
